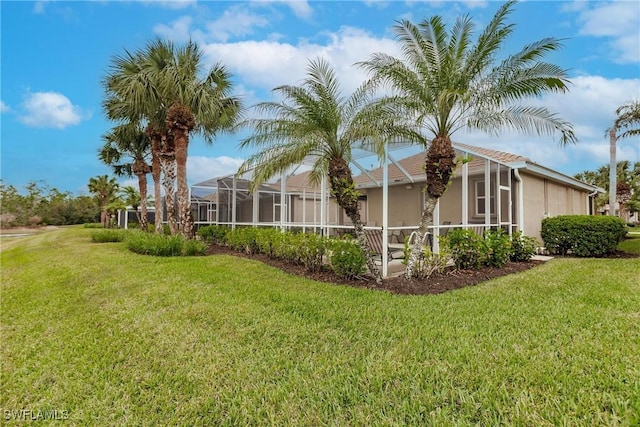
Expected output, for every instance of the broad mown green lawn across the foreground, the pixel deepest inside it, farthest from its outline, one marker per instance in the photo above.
(107, 337)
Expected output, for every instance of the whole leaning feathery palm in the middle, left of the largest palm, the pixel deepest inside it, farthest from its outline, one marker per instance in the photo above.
(315, 121)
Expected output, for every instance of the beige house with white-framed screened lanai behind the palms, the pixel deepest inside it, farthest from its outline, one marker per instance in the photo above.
(487, 192)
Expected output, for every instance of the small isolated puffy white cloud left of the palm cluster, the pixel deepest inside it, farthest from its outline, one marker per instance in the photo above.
(49, 110)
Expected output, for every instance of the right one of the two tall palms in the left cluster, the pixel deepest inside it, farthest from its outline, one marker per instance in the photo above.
(201, 105)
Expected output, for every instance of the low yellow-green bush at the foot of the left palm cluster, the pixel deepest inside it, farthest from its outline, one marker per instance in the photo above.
(161, 245)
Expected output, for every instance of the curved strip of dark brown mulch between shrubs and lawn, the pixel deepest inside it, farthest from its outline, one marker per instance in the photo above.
(436, 284)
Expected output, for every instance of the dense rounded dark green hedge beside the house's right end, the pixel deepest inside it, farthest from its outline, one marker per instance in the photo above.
(583, 235)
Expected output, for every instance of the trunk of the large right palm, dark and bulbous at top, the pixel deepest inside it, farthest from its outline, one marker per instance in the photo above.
(440, 164)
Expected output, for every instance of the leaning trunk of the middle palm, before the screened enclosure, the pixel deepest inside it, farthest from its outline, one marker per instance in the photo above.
(344, 191)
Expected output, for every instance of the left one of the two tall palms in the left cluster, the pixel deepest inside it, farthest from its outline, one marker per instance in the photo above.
(133, 94)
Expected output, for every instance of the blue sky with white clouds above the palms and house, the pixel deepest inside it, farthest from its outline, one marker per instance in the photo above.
(54, 55)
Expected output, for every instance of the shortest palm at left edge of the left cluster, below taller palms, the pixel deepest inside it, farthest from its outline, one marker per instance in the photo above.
(131, 142)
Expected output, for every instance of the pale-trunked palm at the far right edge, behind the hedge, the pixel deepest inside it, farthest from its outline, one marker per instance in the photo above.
(628, 121)
